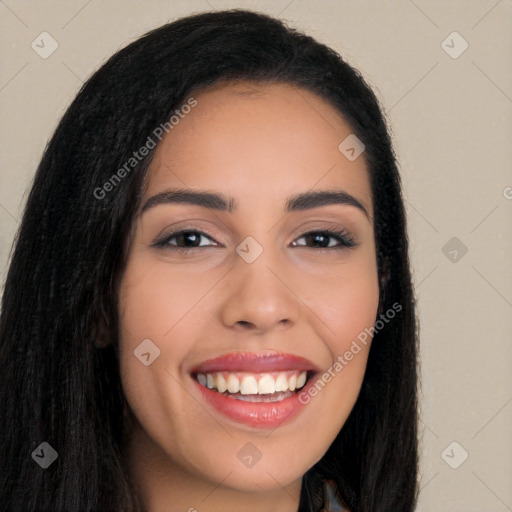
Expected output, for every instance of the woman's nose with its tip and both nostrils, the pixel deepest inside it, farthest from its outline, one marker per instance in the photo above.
(259, 297)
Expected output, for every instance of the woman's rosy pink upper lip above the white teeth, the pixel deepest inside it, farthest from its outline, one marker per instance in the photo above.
(255, 362)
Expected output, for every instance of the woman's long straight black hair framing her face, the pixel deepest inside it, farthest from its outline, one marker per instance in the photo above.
(60, 292)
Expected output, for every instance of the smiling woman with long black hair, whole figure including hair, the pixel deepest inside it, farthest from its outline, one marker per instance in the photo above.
(209, 303)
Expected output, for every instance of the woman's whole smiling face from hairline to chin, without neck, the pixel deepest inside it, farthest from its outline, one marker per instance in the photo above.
(240, 297)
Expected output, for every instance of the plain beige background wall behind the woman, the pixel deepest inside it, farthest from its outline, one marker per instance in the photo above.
(452, 123)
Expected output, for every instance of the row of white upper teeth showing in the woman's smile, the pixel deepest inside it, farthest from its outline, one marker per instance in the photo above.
(253, 383)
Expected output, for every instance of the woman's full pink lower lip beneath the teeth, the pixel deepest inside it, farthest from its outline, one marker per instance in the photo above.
(255, 414)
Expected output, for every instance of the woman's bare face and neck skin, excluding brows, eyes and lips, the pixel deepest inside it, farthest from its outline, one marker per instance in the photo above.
(259, 144)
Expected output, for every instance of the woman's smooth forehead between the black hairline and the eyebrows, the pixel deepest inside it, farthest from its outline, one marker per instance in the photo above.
(252, 139)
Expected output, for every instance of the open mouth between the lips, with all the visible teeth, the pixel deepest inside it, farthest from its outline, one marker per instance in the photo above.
(255, 387)
